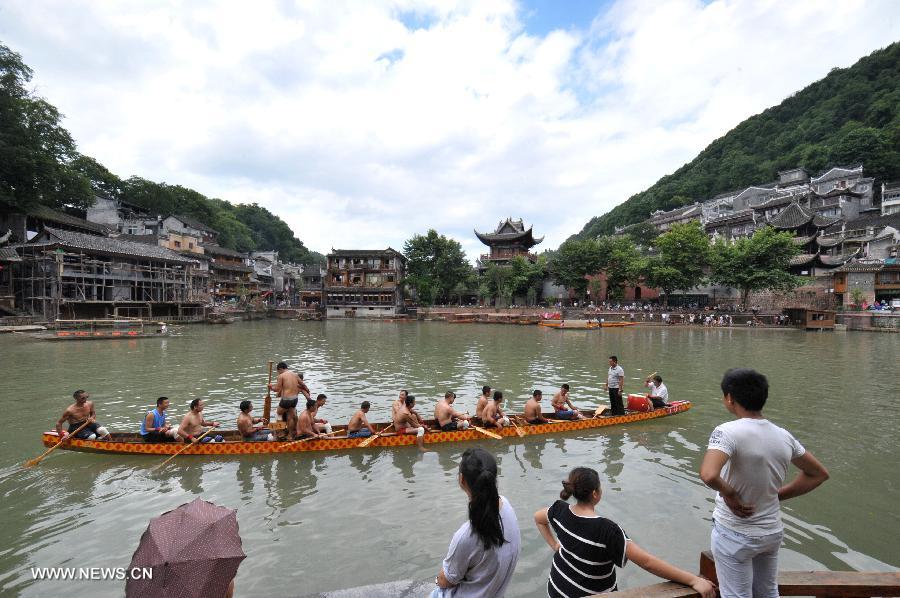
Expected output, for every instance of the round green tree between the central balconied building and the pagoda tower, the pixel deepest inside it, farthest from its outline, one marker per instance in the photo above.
(436, 266)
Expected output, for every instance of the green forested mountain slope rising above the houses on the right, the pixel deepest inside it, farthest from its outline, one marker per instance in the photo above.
(851, 116)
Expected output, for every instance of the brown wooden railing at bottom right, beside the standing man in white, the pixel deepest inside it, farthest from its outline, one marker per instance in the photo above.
(855, 584)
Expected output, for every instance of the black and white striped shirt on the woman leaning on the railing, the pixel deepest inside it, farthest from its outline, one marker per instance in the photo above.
(590, 550)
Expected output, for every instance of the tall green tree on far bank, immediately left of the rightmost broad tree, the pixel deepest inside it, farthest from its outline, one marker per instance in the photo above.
(683, 256)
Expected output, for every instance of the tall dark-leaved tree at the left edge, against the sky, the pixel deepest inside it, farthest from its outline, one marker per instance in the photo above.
(36, 152)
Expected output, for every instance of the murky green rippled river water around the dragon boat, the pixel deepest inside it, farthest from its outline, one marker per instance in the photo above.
(317, 522)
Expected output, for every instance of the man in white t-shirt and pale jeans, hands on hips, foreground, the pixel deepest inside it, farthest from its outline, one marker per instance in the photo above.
(747, 462)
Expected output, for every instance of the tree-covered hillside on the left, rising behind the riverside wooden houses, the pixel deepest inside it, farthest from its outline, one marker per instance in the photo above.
(40, 165)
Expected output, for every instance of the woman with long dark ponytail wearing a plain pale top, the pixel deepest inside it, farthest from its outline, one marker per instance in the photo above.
(485, 549)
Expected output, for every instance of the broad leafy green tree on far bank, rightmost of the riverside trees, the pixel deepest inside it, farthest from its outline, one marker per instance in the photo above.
(756, 263)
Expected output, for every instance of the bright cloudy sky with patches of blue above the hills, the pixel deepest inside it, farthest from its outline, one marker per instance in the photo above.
(364, 123)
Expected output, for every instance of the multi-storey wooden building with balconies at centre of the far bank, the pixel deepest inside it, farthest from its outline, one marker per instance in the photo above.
(362, 283)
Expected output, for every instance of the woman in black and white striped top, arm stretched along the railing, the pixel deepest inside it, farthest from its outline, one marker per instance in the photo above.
(588, 547)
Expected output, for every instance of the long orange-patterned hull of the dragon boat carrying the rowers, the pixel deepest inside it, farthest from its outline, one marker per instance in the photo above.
(131, 443)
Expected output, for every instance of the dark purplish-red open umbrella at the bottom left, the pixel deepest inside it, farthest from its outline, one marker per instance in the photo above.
(194, 551)
